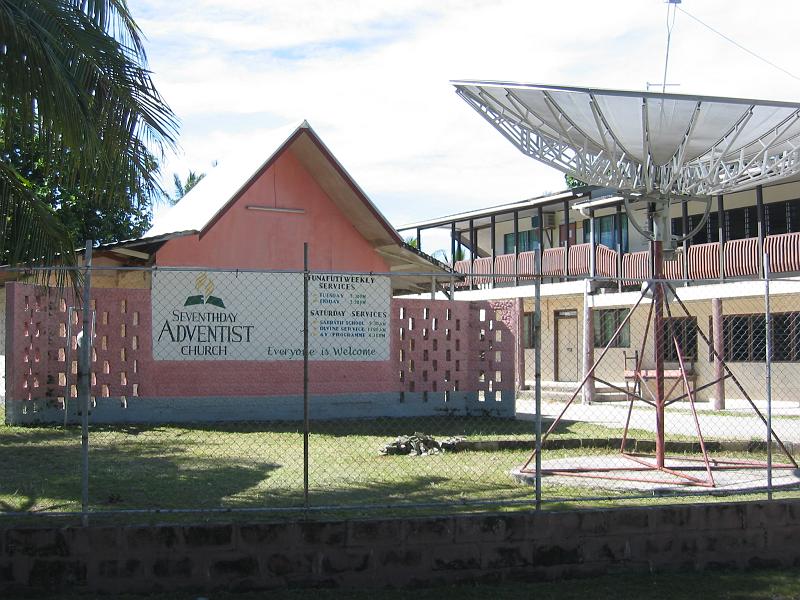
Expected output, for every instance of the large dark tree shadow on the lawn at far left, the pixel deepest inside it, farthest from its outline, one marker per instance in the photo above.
(45, 474)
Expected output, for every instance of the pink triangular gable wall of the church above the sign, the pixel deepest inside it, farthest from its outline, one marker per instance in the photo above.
(244, 238)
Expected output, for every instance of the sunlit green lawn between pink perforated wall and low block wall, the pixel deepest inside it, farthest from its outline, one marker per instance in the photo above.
(256, 465)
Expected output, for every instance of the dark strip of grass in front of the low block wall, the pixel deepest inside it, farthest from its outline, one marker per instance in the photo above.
(712, 585)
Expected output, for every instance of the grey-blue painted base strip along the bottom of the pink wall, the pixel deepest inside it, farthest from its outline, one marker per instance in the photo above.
(269, 408)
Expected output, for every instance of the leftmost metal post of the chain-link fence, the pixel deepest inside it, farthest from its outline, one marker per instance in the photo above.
(85, 361)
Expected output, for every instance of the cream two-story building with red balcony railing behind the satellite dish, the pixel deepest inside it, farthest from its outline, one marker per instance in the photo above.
(722, 263)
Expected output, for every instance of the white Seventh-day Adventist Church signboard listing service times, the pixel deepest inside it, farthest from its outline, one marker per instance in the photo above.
(259, 316)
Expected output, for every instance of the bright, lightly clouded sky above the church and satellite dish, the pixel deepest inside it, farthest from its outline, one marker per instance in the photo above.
(373, 79)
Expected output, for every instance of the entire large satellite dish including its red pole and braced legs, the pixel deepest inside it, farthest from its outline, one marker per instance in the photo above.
(656, 149)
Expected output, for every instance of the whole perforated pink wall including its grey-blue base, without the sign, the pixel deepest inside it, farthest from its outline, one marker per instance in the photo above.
(447, 357)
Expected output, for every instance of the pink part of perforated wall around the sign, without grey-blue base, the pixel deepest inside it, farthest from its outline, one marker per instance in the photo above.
(454, 346)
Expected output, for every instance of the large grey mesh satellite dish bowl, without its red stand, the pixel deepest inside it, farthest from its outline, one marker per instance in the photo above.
(656, 149)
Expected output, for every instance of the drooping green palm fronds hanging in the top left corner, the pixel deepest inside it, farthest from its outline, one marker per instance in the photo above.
(75, 90)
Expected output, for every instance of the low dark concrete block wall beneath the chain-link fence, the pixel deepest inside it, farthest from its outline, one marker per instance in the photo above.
(380, 553)
